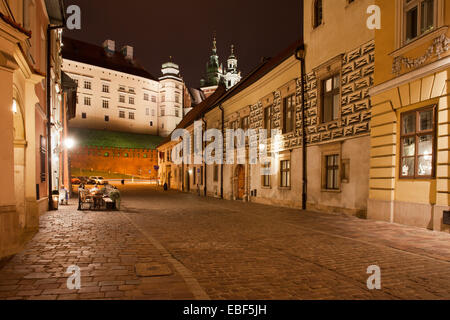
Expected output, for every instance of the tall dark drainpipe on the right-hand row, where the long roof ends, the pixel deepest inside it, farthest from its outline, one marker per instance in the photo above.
(300, 55)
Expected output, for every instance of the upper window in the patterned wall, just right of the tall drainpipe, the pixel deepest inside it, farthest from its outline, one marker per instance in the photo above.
(331, 89)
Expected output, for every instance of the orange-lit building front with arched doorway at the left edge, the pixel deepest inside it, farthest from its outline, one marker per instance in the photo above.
(29, 76)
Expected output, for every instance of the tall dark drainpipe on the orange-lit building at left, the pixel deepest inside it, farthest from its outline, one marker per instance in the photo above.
(49, 115)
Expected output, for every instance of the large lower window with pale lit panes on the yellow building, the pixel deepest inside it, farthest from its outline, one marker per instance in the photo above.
(417, 143)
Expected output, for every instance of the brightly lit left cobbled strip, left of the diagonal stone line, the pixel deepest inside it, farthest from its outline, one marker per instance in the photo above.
(106, 247)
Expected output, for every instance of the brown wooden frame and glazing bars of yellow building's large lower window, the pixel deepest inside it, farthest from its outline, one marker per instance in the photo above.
(417, 133)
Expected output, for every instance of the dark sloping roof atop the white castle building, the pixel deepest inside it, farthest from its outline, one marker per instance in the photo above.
(97, 56)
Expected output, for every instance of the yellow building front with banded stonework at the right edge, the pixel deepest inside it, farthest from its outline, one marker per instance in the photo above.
(410, 147)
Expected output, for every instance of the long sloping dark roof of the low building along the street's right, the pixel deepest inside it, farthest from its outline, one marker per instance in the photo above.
(221, 94)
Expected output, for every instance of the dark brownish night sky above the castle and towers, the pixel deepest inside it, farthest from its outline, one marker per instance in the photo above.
(184, 29)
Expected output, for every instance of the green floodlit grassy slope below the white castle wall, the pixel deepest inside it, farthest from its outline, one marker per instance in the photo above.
(114, 139)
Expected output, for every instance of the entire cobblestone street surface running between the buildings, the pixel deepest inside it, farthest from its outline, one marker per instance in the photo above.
(225, 250)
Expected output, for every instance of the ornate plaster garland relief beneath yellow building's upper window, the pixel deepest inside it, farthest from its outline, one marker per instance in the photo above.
(440, 45)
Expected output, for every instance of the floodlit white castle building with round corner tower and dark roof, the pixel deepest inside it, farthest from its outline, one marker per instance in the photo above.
(116, 93)
